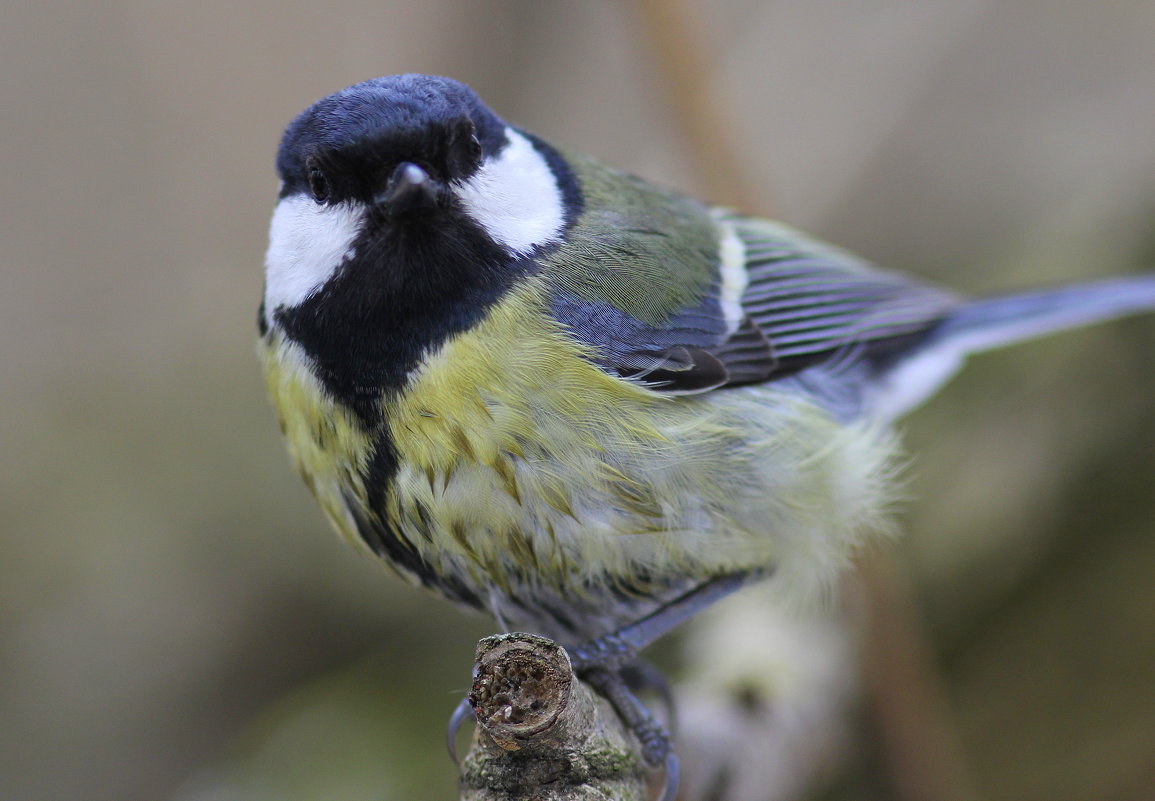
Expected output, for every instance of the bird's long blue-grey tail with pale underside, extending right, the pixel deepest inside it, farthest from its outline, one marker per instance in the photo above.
(994, 323)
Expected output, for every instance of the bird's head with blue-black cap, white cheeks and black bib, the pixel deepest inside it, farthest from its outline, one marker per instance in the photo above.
(407, 209)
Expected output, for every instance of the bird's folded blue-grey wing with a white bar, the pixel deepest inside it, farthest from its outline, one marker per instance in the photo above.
(804, 305)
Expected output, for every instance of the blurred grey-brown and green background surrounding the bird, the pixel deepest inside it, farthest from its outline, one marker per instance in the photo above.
(178, 622)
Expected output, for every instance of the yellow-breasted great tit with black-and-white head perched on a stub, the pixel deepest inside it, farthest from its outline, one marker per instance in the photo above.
(550, 391)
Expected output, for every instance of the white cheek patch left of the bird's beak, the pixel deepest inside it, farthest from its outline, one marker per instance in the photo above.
(308, 243)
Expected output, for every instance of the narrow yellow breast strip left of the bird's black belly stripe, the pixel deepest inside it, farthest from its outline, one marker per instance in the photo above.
(325, 440)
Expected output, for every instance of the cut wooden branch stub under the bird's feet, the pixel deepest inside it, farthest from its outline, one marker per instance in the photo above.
(542, 735)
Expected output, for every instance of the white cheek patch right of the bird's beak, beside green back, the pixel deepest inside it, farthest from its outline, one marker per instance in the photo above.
(516, 198)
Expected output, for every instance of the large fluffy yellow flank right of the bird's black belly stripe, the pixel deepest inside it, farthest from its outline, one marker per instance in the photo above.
(523, 461)
